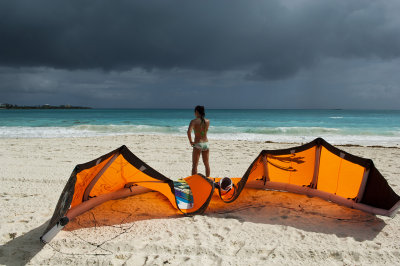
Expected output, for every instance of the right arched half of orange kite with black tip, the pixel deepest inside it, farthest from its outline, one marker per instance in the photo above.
(320, 169)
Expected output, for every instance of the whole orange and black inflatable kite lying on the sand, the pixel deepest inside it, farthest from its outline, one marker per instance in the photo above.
(316, 169)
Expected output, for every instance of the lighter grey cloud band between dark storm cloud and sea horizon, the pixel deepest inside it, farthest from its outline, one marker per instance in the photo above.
(334, 83)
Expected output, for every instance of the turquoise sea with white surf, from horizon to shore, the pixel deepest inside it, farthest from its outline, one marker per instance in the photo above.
(336, 126)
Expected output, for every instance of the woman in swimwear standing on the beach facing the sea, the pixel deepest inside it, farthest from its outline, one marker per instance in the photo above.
(200, 144)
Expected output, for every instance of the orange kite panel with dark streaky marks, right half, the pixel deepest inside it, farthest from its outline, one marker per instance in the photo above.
(297, 168)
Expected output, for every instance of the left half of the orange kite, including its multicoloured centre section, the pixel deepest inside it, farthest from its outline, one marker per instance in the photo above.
(119, 174)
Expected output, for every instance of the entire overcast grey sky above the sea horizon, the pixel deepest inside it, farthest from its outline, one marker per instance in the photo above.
(218, 53)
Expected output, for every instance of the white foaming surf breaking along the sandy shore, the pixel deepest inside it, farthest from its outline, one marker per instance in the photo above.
(276, 134)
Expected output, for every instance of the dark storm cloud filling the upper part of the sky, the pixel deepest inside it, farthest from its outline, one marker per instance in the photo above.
(274, 39)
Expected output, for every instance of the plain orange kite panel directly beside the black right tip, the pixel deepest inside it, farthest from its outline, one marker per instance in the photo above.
(350, 178)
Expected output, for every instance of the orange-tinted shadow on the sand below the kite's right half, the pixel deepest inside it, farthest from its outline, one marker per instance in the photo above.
(301, 212)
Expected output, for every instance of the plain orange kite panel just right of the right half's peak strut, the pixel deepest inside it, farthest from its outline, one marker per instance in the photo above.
(328, 171)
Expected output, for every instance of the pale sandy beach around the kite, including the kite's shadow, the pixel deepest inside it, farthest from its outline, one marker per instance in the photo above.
(260, 228)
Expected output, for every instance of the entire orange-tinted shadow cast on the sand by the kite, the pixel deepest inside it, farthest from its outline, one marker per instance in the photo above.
(257, 206)
